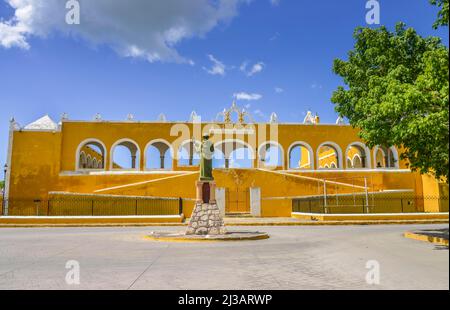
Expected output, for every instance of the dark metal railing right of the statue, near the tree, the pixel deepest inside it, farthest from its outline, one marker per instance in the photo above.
(345, 204)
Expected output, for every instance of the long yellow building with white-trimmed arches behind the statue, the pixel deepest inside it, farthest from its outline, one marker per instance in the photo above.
(262, 169)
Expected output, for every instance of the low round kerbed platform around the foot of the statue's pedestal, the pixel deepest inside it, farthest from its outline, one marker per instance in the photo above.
(229, 236)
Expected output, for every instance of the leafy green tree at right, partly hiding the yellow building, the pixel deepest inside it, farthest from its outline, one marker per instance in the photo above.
(397, 92)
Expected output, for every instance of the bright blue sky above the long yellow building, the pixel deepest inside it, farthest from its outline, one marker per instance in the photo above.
(294, 42)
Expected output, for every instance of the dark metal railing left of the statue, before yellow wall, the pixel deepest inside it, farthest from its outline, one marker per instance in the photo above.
(94, 206)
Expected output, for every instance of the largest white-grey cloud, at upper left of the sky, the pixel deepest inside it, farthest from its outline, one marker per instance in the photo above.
(142, 29)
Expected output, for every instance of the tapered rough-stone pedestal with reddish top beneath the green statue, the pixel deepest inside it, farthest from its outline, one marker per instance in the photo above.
(206, 218)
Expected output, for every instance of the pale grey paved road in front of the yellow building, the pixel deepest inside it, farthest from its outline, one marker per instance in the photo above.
(293, 258)
